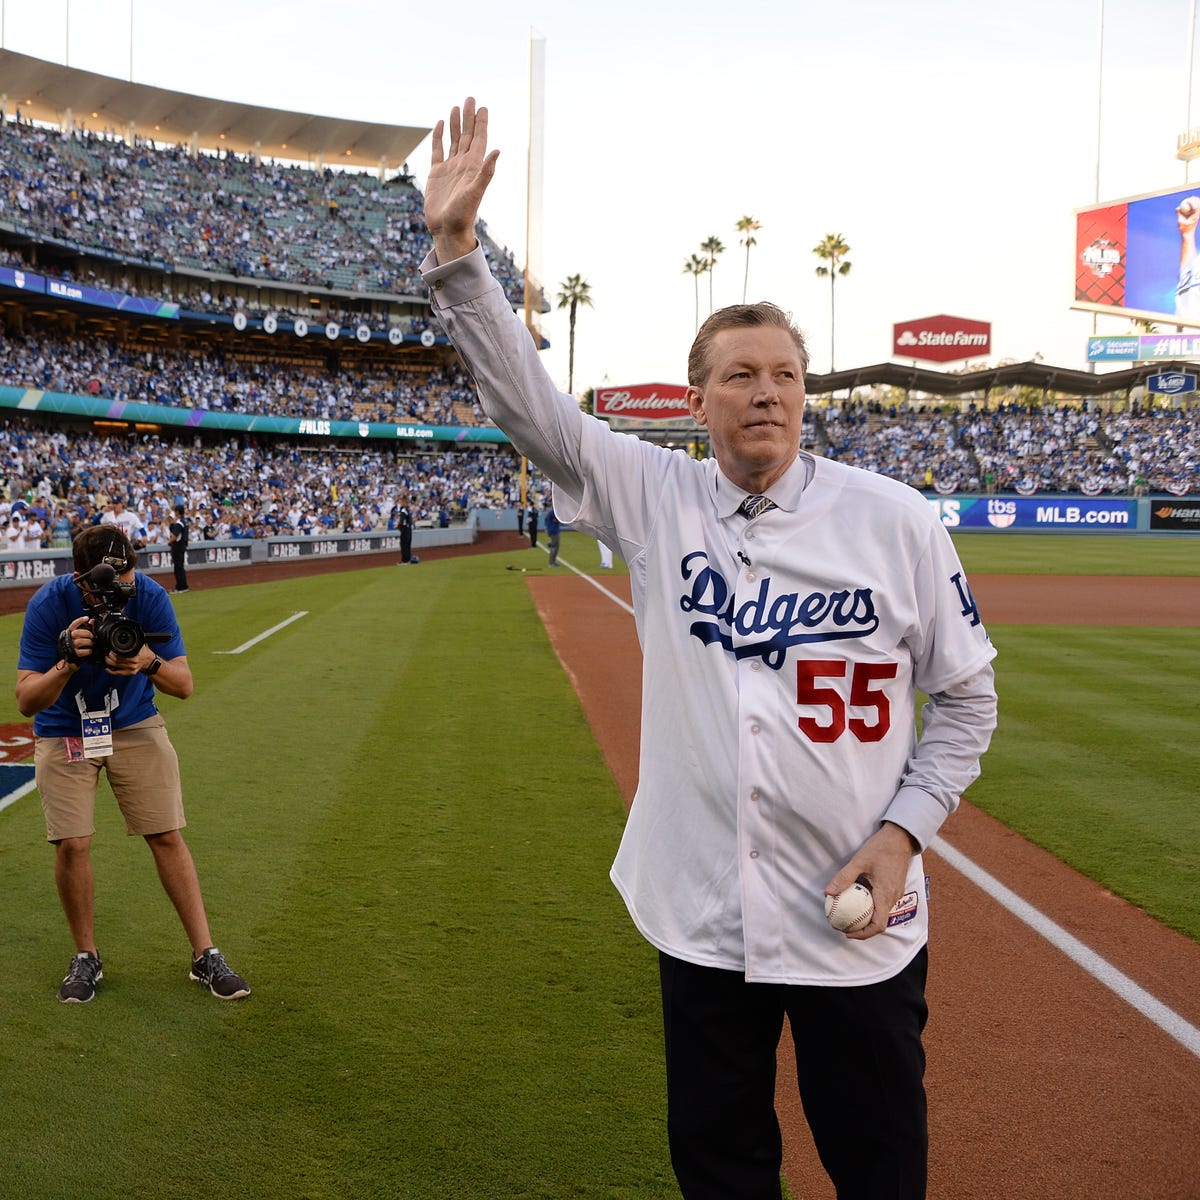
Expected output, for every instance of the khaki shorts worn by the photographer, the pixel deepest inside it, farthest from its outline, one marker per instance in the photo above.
(143, 772)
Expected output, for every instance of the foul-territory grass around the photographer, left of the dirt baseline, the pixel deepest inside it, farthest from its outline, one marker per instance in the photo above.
(406, 826)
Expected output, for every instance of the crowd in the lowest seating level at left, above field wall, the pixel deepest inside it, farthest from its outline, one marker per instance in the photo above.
(237, 489)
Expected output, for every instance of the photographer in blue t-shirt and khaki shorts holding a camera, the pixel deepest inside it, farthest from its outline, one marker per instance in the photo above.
(92, 715)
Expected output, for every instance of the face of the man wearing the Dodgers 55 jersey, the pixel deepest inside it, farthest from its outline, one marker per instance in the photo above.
(752, 404)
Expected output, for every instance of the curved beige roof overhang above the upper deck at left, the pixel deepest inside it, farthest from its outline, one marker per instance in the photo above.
(55, 94)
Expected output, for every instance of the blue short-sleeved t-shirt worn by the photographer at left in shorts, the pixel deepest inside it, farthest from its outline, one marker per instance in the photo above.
(53, 607)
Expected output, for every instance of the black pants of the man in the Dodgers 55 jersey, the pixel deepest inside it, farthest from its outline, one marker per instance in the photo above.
(861, 1067)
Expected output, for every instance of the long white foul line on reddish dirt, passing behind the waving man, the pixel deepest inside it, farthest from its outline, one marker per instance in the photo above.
(1101, 970)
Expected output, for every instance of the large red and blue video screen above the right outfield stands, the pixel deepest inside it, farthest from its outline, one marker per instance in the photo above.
(1138, 256)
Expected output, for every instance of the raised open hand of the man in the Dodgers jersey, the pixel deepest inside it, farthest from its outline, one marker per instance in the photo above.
(458, 182)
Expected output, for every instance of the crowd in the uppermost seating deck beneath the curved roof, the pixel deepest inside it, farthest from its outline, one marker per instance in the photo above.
(223, 214)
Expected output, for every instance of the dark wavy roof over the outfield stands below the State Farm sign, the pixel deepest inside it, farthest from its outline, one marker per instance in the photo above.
(1013, 375)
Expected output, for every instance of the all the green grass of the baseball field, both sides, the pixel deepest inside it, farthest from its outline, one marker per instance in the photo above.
(404, 830)
